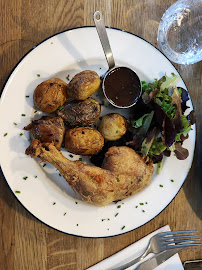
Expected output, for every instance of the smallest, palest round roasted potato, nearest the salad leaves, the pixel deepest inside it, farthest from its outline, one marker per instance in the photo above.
(113, 126)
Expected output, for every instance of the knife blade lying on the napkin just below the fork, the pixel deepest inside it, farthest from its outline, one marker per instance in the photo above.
(157, 259)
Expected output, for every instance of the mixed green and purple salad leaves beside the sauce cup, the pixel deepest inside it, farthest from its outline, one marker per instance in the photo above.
(159, 125)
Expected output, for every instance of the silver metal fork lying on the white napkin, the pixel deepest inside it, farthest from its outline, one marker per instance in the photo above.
(165, 241)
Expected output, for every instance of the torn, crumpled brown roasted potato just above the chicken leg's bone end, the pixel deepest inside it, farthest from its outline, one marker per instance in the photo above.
(47, 129)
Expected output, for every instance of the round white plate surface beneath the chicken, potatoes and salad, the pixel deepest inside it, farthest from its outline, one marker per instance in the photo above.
(44, 193)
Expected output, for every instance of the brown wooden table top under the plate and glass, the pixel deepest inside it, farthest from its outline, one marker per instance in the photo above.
(25, 242)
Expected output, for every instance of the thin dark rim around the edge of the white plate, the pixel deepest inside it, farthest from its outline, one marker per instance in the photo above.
(3, 88)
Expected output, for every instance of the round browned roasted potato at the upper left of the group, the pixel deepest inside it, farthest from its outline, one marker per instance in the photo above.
(50, 95)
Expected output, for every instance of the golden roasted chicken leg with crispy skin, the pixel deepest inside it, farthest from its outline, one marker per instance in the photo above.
(125, 173)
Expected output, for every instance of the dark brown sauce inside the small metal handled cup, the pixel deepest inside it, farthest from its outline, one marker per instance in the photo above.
(122, 87)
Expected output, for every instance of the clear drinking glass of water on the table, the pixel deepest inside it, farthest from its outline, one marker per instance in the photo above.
(180, 32)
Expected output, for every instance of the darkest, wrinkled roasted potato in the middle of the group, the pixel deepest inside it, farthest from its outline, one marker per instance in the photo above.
(80, 113)
